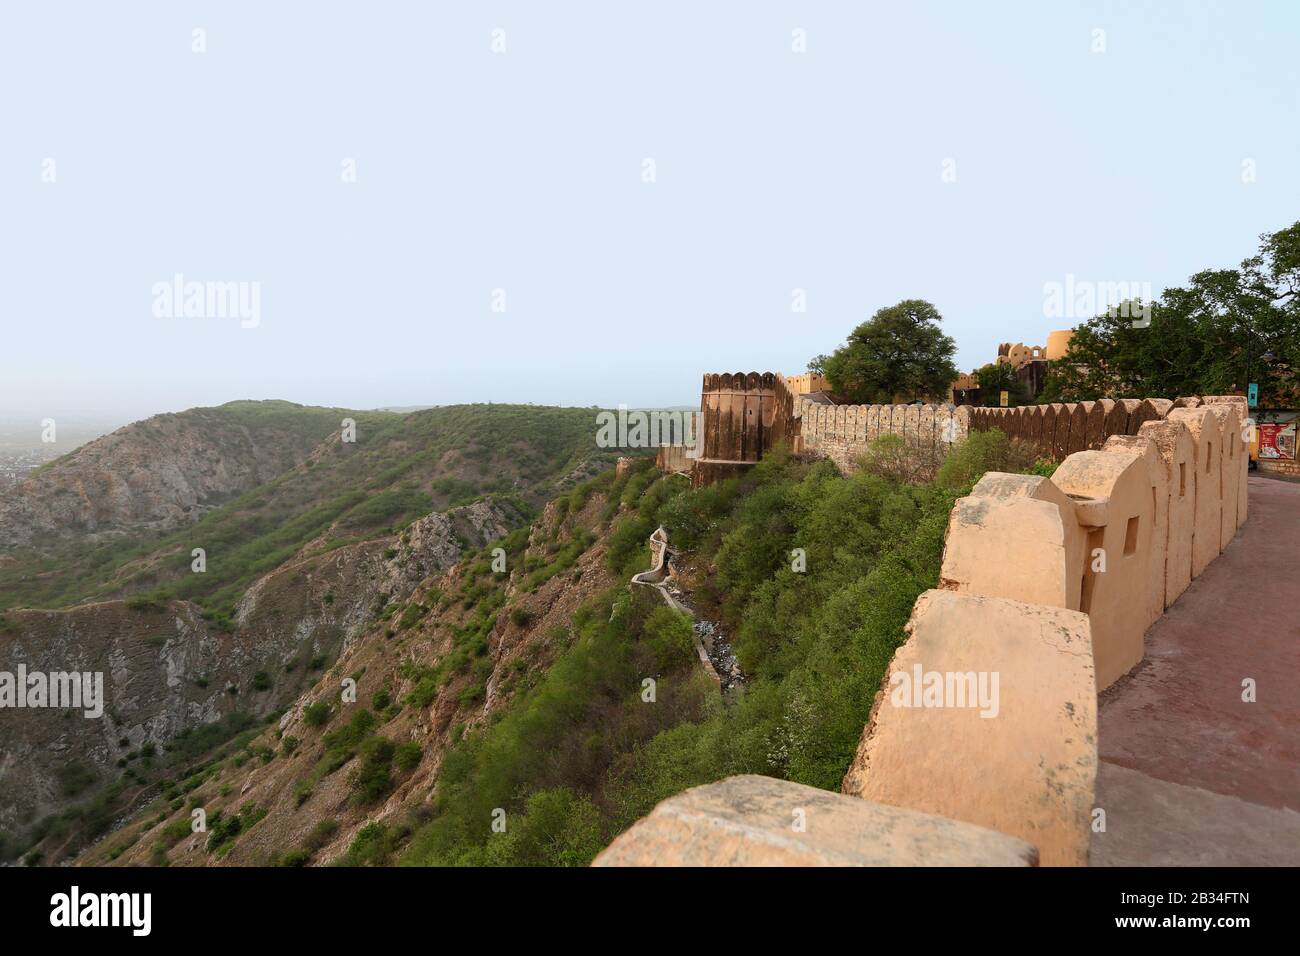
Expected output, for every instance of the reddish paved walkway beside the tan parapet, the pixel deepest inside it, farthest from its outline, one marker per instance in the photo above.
(1190, 773)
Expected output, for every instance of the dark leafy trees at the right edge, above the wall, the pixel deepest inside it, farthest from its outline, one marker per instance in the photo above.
(1225, 330)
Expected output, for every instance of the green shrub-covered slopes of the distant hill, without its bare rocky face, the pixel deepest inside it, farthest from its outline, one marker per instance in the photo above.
(401, 468)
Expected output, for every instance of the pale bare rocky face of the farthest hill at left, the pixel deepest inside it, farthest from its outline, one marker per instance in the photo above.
(161, 474)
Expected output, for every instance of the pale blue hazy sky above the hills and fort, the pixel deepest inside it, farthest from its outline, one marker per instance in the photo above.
(595, 204)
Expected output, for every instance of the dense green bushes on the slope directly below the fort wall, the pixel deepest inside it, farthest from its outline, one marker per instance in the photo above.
(583, 755)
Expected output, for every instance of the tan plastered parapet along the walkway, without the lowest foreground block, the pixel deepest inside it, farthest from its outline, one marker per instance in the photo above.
(1037, 574)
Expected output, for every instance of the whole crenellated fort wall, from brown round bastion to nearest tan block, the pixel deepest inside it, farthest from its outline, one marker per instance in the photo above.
(1047, 591)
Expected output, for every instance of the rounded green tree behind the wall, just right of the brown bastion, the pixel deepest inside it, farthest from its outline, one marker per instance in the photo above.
(900, 354)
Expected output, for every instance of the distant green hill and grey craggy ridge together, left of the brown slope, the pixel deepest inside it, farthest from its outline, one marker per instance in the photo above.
(328, 539)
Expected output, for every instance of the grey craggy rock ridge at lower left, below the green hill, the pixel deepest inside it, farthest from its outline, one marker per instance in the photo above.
(177, 684)
